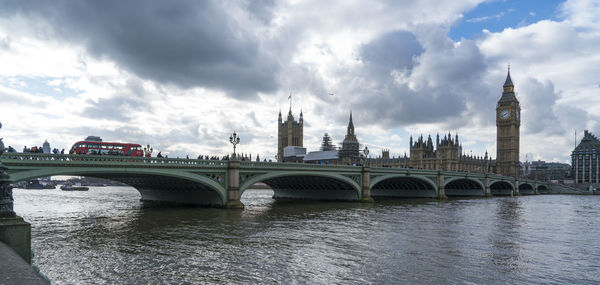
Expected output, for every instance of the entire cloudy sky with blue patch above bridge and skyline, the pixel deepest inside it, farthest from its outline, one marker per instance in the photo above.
(183, 75)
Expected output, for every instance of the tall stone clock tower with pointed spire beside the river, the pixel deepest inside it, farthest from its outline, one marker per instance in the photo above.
(508, 121)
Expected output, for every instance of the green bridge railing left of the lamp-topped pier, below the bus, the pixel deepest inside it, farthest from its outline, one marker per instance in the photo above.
(35, 158)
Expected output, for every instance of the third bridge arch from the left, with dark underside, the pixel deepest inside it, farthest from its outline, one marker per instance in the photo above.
(403, 186)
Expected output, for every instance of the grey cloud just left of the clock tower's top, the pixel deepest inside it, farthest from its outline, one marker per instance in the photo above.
(405, 83)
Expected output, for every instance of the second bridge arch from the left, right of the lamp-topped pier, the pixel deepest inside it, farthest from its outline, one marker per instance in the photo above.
(309, 185)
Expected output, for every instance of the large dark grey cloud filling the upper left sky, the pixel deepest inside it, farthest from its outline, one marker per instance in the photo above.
(187, 43)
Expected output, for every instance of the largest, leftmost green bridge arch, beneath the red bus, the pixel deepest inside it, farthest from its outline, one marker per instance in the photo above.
(156, 185)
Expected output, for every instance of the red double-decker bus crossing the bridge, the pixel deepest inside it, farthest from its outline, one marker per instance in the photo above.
(95, 146)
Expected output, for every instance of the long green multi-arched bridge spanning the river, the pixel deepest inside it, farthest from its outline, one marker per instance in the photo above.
(220, 183)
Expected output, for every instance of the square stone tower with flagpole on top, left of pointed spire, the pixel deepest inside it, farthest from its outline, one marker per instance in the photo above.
(289, 133)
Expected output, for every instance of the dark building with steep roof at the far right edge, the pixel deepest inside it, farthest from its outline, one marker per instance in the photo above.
(584, 159)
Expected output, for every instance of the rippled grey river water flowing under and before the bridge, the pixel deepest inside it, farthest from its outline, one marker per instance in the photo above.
(107, 236)
